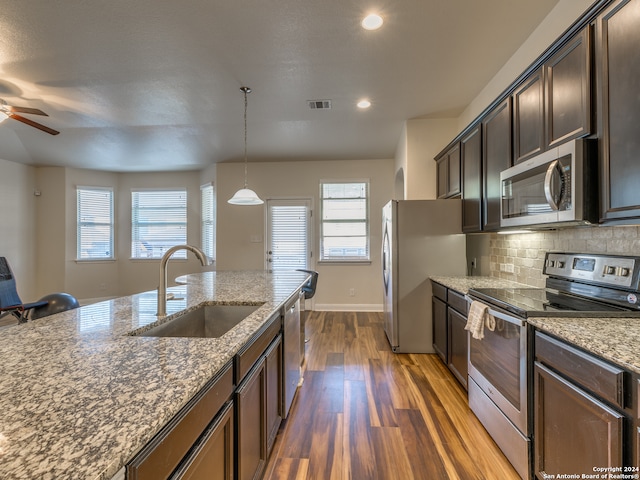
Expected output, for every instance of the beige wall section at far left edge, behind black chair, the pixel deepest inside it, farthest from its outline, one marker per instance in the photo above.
(18, 235)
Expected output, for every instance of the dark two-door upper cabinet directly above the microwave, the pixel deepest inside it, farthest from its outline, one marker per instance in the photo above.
(553, 104)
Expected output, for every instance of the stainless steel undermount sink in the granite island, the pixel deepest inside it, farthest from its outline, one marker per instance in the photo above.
(208, 321)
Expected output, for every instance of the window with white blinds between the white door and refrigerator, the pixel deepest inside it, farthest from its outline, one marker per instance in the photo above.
(344, 221)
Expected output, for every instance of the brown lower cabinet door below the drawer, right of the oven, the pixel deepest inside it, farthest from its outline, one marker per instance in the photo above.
(573, 431)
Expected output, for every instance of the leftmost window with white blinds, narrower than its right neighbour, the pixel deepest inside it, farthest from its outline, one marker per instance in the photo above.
(94, 223)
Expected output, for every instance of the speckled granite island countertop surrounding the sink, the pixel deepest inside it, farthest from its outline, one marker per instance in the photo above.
(79, 396)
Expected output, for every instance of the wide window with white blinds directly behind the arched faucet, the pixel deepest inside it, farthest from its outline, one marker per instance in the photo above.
(158, 222)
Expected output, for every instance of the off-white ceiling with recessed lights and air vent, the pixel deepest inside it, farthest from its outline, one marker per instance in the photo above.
(152, 85)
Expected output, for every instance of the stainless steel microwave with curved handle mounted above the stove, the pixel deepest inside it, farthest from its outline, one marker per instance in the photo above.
(558, 187)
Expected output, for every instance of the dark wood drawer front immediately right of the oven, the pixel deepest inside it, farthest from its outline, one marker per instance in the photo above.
(590, 372)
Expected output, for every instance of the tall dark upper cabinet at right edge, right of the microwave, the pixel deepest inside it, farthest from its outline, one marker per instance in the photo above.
(618, 60)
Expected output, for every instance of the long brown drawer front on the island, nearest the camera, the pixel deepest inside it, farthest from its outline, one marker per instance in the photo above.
(167, 449)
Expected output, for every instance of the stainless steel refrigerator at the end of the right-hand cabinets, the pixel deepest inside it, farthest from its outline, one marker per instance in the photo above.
(420, 238)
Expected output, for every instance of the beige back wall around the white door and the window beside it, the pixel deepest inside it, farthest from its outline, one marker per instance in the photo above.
(238, 224)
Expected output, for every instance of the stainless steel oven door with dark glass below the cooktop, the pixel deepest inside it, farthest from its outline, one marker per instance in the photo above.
(498, 365)
